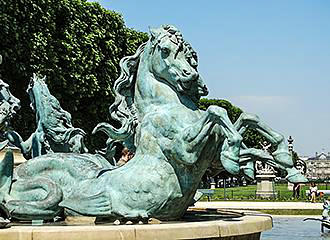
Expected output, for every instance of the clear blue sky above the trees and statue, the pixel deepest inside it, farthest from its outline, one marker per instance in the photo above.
(271, 58)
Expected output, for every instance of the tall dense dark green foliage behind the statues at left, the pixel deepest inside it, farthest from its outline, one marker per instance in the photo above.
(76, 44)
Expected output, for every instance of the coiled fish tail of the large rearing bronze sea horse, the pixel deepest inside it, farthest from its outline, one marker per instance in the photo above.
(28, 200)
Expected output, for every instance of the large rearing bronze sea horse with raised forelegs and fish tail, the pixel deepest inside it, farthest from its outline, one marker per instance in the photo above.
(156, 103)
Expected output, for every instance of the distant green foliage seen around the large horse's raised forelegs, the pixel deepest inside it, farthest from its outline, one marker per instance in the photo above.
(251, 137)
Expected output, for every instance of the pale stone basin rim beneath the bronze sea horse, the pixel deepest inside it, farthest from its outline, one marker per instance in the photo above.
(240, 228)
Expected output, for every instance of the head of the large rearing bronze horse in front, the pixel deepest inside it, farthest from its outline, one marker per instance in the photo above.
(174, 62)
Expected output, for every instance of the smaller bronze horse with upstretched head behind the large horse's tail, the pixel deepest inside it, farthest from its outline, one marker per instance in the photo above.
(54, 132)
